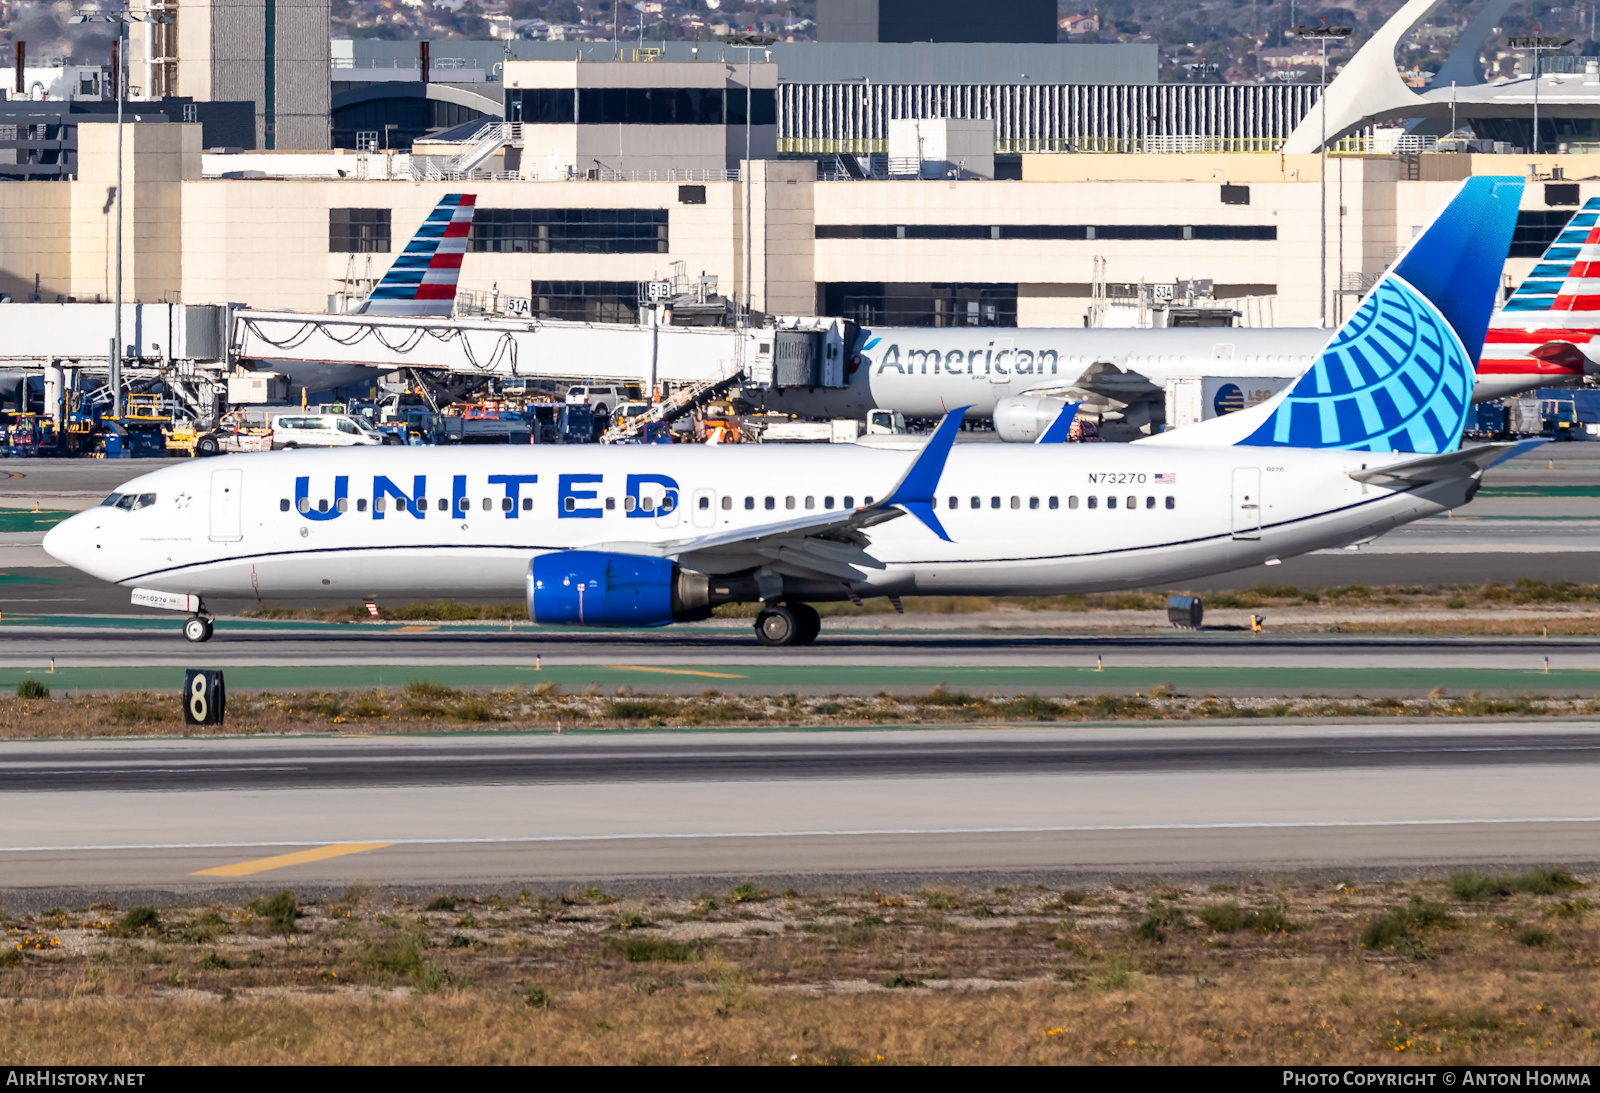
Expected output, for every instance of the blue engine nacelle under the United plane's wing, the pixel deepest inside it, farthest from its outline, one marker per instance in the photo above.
(596, 588)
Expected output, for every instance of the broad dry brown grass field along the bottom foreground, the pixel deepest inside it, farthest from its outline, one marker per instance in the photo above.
(1289, 972)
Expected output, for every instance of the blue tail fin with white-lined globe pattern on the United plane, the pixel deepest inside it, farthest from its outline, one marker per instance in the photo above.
(1398, 375)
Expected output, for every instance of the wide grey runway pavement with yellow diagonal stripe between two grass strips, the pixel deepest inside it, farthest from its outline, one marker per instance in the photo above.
(646, 809)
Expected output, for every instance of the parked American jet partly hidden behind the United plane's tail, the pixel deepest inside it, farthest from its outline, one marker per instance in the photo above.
(1023, 378)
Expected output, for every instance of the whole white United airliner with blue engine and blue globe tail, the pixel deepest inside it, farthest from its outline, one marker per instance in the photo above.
(623, 535)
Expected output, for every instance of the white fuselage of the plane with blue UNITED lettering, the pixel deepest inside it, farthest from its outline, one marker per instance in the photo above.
(420, 522)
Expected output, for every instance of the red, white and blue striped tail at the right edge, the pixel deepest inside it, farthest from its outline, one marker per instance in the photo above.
(1545, 332)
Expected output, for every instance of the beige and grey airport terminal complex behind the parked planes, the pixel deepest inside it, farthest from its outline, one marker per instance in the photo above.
(1006, 183)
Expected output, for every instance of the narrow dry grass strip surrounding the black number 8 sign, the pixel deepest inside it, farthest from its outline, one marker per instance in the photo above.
(430, 708)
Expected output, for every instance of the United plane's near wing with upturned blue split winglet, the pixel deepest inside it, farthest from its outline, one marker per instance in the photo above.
(826, 545)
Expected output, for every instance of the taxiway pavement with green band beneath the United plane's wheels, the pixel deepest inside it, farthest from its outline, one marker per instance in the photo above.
(298, 657)
